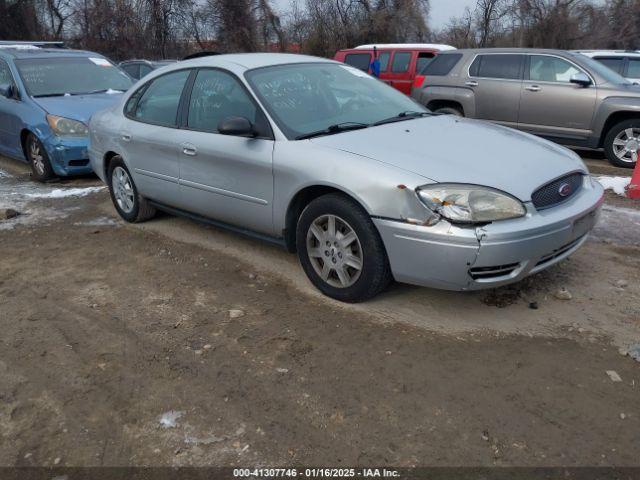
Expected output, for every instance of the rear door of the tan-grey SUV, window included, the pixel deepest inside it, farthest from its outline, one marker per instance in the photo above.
(496, 80)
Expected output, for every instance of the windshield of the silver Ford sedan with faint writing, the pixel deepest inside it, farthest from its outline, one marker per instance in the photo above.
(305, 98)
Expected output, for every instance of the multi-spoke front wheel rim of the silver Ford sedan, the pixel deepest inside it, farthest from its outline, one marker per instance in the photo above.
(335, 251)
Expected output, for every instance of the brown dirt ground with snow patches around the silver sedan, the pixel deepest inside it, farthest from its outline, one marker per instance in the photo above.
(173, 343)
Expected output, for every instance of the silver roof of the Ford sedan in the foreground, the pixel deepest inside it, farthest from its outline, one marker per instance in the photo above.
(248, 61)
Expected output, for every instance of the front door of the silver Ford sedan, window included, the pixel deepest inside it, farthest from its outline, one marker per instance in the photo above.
(223, 177)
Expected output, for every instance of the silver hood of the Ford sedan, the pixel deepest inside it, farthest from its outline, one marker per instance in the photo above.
(451, 149)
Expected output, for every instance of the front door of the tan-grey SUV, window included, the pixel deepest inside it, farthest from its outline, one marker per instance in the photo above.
(551, 105)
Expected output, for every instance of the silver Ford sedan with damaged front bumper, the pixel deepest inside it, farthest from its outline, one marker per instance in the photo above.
(362, 182)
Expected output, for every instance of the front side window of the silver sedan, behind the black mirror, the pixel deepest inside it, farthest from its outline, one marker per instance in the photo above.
(217, 95)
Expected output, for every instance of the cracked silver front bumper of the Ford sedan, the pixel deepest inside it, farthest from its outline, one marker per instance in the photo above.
(455, 257)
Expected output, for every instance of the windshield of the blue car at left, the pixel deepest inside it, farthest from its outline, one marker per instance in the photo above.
(70, 75)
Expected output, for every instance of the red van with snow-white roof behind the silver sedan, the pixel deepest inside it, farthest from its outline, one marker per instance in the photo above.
(400, 63)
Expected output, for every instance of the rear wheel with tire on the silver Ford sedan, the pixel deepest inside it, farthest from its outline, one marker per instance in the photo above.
(131, 206)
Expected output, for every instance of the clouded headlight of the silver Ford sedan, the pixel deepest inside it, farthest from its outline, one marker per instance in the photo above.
(461, 203)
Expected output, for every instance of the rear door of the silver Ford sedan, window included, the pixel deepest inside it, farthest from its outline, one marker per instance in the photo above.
(150, 137)
